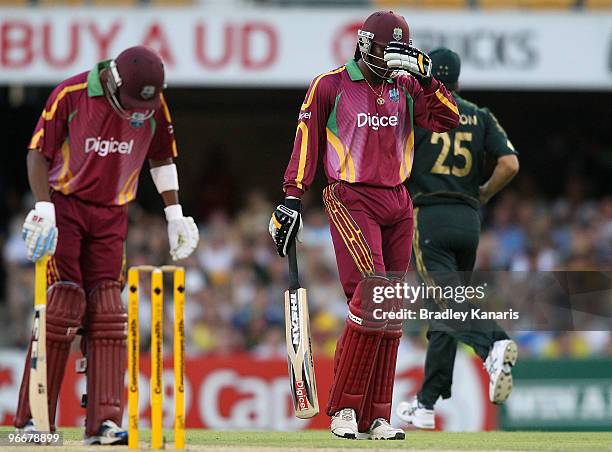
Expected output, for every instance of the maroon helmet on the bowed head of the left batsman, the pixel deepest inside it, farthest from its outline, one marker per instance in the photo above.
(136, 81)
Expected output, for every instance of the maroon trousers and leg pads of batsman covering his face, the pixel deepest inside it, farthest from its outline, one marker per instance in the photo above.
(371, 229)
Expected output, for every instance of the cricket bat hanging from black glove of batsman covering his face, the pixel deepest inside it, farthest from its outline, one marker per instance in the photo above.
(299, 350)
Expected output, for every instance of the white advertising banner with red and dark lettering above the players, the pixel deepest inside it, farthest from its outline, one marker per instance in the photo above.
(288, 47)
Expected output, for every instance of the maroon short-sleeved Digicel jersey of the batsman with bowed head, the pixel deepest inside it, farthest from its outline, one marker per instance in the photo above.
(93, 153)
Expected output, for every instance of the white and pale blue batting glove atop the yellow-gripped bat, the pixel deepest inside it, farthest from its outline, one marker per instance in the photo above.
(39, 231)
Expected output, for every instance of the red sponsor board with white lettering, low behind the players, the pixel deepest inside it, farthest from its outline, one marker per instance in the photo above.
(241, 392)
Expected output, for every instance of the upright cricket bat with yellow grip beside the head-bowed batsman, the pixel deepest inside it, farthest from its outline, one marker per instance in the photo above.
(38, 359)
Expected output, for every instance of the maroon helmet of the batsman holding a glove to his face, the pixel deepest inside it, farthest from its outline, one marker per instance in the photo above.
(381, 28)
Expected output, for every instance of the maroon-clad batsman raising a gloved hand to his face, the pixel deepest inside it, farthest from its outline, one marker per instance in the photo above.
(360, 119)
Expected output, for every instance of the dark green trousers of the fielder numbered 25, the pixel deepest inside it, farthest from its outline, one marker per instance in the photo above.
(445, 242)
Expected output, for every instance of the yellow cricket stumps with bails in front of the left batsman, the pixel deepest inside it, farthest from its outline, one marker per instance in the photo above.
(157, 387)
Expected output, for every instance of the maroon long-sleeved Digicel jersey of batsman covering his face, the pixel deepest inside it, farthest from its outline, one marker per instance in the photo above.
(360, 139)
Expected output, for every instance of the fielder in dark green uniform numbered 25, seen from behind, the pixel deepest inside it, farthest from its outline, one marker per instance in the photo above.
(447, 191)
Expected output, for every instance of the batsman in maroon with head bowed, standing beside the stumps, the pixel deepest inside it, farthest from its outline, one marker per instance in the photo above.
(84, 160)
